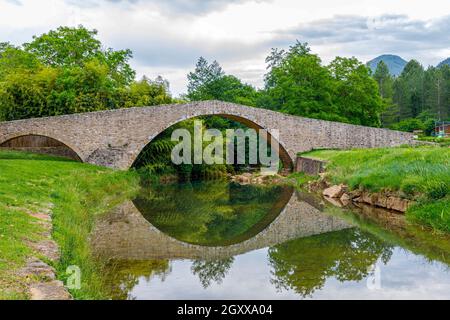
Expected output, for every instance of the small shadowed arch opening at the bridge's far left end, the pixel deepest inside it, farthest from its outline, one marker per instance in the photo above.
(37, 143)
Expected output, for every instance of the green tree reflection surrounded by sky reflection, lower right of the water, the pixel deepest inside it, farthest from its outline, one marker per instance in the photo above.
(305, 264)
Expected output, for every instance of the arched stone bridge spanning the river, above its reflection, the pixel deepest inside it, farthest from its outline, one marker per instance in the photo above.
(114, 138)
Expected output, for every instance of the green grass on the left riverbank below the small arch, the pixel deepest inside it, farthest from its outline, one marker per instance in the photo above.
(77, 192)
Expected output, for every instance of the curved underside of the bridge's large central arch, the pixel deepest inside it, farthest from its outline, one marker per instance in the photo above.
(285, 158)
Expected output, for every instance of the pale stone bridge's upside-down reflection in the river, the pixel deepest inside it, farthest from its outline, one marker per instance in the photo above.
(126, 234)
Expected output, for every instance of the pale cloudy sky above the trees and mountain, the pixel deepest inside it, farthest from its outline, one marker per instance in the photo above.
(167, 37)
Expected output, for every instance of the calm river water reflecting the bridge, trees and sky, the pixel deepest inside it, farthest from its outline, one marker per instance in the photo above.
(219, 240)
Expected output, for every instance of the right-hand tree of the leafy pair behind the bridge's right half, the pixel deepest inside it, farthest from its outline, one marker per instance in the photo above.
(356, 92)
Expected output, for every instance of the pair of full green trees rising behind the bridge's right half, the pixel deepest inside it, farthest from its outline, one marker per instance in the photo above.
(298, 84)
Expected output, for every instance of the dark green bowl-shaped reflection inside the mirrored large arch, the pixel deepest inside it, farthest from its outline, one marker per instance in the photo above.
(212, 213)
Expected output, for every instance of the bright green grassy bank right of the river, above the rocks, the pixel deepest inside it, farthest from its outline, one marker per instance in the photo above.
(420, 173)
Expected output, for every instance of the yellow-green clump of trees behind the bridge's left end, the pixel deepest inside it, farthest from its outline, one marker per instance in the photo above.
(66, 71)
